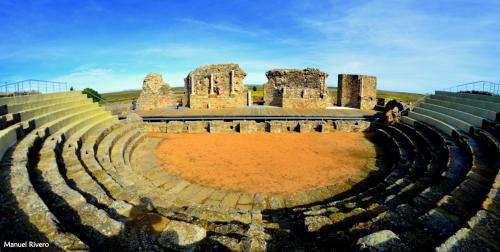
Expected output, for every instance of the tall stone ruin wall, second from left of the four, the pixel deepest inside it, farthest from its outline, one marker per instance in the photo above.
(216, 86)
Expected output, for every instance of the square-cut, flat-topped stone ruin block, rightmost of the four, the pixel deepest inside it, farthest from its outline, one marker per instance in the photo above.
(357, 91)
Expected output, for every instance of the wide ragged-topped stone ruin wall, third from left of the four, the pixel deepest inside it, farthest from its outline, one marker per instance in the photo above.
(294, 88)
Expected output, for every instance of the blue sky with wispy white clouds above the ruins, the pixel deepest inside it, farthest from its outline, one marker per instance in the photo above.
(410, 45)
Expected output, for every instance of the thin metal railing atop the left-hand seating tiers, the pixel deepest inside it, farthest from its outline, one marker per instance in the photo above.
(33, 86)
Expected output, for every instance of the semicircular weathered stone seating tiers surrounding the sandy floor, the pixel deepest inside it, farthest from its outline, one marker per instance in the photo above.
(72, 176)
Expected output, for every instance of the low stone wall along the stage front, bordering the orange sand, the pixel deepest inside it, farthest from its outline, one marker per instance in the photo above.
(253, 126)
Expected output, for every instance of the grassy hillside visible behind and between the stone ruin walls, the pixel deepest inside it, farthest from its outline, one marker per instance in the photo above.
(127, 96)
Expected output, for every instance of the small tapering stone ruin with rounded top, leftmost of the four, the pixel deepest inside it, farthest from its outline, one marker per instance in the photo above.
(156, 94)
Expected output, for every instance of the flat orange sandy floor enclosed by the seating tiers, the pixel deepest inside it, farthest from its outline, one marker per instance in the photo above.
(283, 163)
